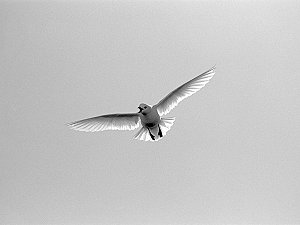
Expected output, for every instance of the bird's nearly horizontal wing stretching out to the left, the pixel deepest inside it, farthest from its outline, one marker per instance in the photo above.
(127, 121)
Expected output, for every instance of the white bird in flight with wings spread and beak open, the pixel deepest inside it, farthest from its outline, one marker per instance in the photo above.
(153, 125)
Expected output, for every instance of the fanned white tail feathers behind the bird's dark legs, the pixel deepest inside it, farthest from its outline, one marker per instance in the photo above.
(165, 125)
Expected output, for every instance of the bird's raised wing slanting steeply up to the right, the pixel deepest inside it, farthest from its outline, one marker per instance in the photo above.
(184, 91)
